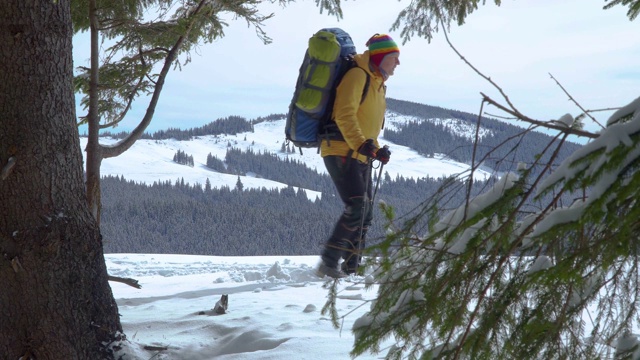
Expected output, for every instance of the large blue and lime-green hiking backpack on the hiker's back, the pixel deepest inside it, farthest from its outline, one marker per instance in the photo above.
(328, 57)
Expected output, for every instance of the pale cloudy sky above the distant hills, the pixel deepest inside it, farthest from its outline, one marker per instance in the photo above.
(592, 52)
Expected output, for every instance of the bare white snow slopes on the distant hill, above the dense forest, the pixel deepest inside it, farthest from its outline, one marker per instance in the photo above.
(150, 161)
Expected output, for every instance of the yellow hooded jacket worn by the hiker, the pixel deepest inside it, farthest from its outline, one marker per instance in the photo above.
(357, 122)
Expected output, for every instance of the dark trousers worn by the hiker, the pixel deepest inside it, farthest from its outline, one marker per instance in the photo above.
(353, 182)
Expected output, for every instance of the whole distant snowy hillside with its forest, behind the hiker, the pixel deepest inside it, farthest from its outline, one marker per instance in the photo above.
(233, 187)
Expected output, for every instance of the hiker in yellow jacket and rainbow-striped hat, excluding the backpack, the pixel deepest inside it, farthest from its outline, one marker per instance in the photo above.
(348, 161)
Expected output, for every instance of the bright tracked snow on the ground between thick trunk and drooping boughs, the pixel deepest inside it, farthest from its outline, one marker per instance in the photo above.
(274, 308)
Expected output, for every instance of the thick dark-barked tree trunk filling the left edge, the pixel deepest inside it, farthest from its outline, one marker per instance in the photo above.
(55, 301)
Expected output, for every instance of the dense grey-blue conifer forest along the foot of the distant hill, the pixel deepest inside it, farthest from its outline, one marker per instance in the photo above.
(183, 218)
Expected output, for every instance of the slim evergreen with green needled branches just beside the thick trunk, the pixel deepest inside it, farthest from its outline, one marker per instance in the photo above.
(138, 60)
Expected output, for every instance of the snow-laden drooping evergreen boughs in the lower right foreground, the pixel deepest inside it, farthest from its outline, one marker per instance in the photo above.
(491, 280)
